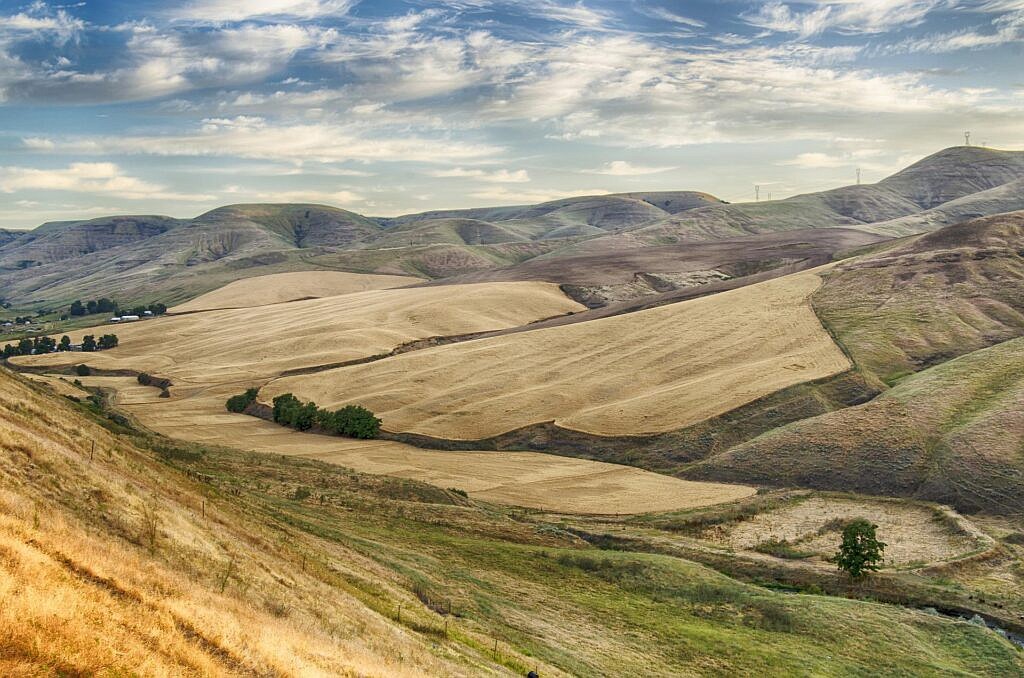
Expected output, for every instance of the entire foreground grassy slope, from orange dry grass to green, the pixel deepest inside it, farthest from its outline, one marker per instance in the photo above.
(315, 584)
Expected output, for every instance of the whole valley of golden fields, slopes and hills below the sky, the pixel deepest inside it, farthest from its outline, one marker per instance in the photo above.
(625, 431)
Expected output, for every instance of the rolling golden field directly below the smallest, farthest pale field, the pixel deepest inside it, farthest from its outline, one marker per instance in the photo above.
(247, 346)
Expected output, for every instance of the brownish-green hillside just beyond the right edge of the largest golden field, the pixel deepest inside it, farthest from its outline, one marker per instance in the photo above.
(932, 299)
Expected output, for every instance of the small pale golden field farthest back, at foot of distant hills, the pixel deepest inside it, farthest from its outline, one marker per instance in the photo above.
(278, 288)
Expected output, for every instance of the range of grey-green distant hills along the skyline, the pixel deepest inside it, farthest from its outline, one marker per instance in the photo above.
(160, 259)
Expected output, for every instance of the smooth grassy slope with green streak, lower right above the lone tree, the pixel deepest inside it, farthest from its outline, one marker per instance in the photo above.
(953, 434)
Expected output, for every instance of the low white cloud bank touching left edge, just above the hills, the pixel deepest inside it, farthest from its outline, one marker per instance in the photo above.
(101, 179)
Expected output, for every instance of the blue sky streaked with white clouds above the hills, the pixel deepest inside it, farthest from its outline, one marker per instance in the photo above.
(392, 107)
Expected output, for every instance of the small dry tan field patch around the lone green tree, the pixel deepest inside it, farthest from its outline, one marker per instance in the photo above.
(914, 534)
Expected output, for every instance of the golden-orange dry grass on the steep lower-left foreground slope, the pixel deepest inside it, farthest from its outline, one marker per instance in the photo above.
(76, 601)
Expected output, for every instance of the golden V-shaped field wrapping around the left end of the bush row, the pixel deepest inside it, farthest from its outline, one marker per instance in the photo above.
(211, 356)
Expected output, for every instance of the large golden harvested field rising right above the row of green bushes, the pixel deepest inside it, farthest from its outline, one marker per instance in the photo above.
(651, 371)
